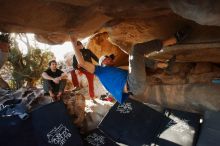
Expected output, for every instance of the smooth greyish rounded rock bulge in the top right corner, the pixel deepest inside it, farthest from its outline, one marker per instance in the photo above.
(209, 11)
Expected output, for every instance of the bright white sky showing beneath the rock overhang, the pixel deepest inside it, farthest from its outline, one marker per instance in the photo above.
(58, 50)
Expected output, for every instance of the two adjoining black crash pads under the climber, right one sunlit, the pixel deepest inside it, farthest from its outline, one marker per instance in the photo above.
(136, 124)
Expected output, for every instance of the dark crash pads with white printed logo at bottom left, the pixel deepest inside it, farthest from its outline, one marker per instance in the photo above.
(49, 125)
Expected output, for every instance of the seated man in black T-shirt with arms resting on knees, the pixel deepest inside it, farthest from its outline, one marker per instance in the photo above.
(54, 81)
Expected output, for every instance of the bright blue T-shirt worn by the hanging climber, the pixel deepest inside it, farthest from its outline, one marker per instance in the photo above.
(114, 80)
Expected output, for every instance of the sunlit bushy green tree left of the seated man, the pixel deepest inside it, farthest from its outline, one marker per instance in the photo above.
(27, 67)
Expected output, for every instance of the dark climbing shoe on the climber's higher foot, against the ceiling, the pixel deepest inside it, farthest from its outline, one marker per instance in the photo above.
(183, 33)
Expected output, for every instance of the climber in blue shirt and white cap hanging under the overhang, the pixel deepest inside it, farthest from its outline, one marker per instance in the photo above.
(122, 83)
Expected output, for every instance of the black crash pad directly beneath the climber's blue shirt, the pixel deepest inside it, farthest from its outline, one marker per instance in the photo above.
(132, 123)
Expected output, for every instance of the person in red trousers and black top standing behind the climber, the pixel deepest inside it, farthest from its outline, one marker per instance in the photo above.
(88, 55)
